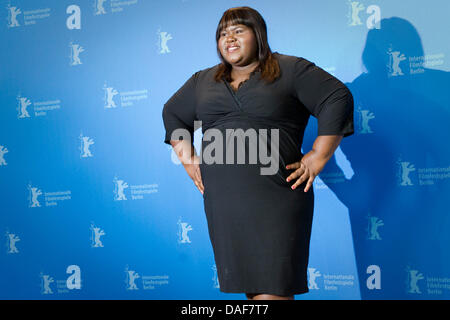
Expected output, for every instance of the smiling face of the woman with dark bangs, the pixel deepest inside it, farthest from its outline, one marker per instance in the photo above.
(237, 44)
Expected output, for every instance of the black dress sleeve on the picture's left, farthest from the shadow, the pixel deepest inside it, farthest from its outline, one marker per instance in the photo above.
(179, 111)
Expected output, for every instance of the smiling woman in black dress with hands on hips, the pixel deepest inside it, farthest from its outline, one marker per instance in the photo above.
(259, 224)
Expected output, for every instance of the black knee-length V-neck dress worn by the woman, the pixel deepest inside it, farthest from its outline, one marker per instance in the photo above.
(259, 227)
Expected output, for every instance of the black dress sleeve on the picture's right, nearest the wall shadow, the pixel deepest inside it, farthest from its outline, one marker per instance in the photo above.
(325, 97)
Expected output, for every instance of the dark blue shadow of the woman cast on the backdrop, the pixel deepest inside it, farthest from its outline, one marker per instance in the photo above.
(399, 215)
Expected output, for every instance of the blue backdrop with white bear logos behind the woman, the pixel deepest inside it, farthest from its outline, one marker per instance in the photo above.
(95, 206)
